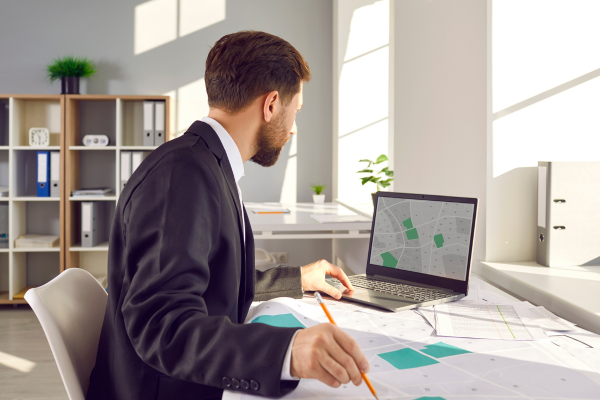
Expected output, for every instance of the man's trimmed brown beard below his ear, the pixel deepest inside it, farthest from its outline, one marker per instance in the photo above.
(270, 140)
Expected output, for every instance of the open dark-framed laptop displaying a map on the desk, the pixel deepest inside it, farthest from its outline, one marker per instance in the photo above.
(419, 252)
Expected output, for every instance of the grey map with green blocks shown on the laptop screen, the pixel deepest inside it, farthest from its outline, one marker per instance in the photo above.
(429, 237)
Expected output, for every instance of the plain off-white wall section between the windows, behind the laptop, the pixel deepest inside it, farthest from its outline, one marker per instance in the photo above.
(440, 95)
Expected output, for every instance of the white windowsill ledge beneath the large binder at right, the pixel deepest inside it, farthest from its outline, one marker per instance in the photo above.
(572, 293)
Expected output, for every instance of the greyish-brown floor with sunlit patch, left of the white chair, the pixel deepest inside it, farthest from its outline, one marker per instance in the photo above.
(21, 336)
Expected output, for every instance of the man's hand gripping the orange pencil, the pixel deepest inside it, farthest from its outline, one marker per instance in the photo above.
(327, 353)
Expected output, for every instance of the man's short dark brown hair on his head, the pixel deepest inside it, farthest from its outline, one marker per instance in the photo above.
(245, 65)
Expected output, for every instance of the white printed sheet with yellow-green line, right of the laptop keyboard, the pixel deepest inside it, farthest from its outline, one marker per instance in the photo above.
(485, 322)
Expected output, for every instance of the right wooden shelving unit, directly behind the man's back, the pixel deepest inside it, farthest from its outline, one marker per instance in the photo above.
(120, 118)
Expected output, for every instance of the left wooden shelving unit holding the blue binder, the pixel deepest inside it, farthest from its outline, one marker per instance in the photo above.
(28, 213)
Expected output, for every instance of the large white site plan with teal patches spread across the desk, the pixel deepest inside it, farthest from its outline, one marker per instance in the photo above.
(408, 363)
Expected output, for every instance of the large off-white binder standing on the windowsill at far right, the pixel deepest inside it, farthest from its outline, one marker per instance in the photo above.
(568, 213)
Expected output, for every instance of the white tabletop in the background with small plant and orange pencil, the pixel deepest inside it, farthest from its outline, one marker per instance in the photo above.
(299, 219)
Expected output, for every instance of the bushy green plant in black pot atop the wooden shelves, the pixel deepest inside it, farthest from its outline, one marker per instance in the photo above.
(69, 70)
